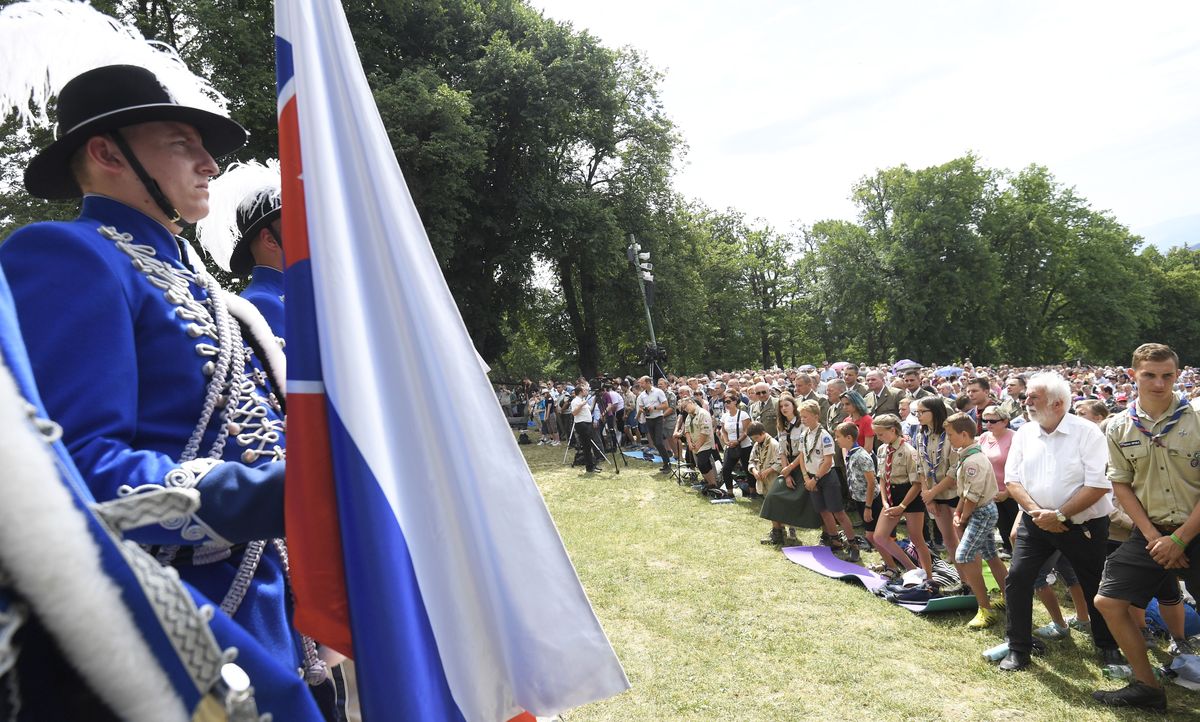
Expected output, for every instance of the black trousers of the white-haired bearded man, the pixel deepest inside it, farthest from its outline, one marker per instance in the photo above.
(1034, 547)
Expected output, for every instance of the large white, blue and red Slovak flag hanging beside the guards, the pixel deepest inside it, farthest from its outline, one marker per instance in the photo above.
(421, 545)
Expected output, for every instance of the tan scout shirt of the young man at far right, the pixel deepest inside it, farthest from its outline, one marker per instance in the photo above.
(1166, 479)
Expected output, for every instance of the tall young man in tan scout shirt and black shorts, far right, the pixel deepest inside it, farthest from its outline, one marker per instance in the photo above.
(1155, 470)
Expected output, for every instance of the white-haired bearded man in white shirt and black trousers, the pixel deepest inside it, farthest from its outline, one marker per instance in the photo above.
(1055, 472)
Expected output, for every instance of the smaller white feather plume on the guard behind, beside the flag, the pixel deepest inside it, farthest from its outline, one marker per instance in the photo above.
(235, 190)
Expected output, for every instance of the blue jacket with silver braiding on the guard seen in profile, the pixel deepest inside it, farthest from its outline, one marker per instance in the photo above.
(121, 364)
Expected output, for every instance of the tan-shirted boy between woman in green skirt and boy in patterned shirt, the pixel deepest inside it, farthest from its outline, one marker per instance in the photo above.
(821, 483)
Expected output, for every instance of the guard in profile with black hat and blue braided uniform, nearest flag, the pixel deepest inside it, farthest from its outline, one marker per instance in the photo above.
(141, 358)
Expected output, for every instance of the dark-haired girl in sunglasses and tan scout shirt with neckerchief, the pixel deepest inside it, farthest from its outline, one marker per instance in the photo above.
(939, 461)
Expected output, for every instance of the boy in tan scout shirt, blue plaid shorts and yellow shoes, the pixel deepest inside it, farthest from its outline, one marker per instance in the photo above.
(975, 518)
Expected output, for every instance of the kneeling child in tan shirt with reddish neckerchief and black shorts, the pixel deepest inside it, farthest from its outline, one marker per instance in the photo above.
(898, 473)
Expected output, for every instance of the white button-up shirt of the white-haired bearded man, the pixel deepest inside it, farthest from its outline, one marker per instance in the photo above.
(1053, 467)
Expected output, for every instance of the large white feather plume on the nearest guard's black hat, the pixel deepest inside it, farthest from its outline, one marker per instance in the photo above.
(45, 44)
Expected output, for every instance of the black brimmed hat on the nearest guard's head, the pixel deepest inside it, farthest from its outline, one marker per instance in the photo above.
(112, 98)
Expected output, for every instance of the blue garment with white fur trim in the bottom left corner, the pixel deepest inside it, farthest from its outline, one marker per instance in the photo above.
(95, 629)
